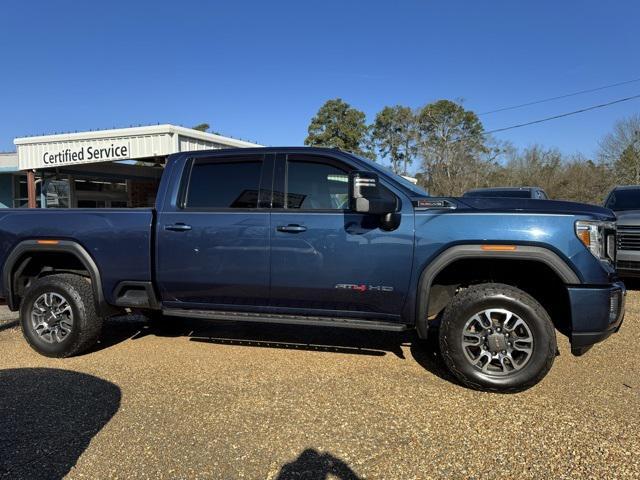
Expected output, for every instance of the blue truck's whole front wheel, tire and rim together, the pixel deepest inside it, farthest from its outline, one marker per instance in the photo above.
(496, 337)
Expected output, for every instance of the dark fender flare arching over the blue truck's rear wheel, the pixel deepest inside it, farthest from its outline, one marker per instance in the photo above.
(66, 246)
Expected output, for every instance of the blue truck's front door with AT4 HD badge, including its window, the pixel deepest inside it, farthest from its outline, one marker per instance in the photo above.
(327, 258)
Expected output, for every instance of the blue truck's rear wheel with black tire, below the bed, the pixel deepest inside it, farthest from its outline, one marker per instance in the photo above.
(58, 316)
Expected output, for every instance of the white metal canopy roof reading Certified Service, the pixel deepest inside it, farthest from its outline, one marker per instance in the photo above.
(118, 144)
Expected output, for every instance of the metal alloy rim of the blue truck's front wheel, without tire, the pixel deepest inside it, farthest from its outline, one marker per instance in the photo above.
(497, 342)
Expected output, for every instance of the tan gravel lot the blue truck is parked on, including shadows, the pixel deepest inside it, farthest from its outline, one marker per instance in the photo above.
(216, 400)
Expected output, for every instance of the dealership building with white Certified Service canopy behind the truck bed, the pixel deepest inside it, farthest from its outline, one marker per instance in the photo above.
(97, 169)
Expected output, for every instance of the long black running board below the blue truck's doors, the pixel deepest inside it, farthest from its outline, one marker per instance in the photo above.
(357, 323)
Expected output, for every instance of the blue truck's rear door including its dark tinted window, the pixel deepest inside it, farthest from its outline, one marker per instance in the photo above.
(213, 238)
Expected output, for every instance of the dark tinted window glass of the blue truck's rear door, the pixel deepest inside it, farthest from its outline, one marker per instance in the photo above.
(224, 184)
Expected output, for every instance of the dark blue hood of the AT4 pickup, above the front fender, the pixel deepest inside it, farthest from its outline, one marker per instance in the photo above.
(528, 205)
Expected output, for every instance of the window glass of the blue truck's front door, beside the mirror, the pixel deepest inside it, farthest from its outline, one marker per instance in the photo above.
(316, 186)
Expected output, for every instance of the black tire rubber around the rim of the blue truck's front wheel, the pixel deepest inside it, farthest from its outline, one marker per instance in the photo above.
(480, 297)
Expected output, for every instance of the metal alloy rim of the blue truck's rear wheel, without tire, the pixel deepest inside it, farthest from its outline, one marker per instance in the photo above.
(52, 317)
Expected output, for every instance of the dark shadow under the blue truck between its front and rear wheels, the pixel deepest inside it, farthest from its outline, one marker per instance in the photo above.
(263, 335)
